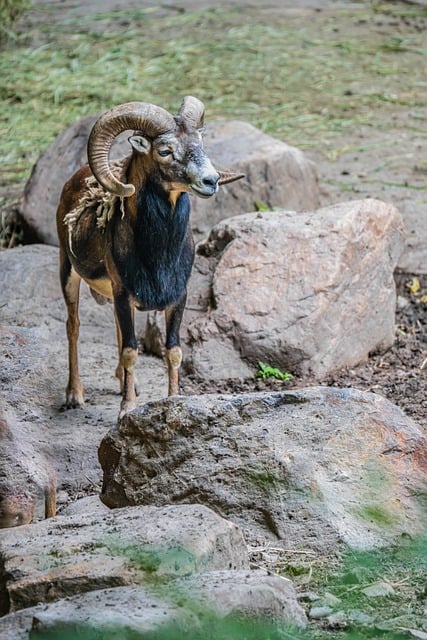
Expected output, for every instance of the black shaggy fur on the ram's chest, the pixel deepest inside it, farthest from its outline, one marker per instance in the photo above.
(156, 265)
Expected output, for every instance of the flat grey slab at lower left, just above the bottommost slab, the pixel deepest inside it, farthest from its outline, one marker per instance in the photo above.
(66, 556)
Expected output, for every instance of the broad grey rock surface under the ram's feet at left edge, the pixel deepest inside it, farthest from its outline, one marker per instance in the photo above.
(37, 439)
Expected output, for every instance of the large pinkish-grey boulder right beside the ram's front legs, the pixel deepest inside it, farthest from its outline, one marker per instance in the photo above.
(307, 292)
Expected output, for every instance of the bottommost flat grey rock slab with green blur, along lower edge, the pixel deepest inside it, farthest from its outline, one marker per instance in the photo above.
(194, 603)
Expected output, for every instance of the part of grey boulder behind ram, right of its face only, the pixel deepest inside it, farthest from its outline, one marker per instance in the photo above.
(276, 175)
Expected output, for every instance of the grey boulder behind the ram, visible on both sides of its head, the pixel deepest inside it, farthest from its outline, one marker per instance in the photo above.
(276, 175)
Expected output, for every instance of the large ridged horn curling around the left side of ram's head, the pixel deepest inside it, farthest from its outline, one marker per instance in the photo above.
(140, 116)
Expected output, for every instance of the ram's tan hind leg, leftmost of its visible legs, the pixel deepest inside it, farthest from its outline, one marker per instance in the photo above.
(70, 283)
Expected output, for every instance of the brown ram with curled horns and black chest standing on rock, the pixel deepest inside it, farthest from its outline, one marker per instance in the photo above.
(124, 228)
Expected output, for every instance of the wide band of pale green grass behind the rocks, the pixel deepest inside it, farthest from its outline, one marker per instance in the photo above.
(305, 82)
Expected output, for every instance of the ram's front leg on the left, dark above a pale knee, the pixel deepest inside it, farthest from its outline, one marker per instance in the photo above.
(129, 350)
